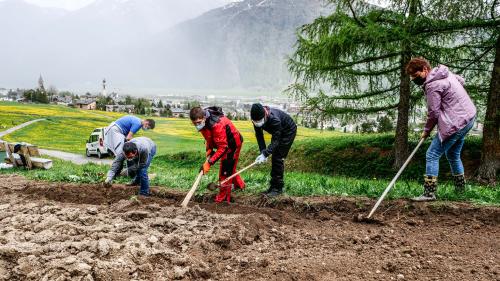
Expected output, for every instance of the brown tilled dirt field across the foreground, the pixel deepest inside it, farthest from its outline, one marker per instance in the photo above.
(83, 232)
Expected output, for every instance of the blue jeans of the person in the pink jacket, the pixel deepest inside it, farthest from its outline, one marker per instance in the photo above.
(452, 147)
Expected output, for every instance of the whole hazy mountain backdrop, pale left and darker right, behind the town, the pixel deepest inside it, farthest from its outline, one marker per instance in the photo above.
(153, 44)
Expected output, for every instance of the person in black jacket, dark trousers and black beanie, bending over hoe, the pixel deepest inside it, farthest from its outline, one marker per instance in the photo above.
(283, 130)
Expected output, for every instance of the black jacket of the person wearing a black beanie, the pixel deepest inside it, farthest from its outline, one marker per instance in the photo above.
(282, 128)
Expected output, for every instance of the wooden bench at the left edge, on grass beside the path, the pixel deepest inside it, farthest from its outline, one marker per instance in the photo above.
(30, 154)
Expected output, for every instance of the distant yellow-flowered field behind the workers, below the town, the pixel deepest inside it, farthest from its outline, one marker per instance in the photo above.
(67, 129)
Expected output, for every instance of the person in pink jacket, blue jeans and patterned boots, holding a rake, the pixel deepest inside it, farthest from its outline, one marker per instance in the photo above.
(451, 109)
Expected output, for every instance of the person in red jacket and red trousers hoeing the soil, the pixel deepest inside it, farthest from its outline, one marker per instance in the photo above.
(224, 142)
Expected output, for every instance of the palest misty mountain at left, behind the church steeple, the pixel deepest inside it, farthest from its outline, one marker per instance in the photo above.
(74, 49)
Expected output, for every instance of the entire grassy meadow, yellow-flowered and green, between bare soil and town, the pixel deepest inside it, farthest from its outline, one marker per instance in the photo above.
(320, 163)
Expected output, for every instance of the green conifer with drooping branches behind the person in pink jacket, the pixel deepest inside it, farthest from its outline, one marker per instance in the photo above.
(359, 53)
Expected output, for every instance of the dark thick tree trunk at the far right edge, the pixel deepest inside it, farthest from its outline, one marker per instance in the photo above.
(490, 152)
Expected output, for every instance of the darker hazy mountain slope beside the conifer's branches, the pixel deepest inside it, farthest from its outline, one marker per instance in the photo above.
(242, 45)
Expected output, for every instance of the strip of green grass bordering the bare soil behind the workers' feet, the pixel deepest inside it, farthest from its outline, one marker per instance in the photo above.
(181, 174)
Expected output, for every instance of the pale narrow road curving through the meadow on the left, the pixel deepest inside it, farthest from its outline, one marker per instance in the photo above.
(72, 157)
